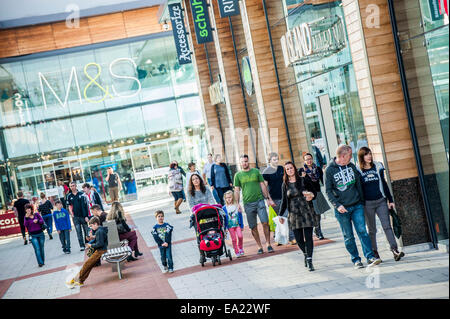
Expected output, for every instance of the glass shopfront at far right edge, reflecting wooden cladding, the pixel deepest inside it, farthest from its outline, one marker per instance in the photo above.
(423, 37)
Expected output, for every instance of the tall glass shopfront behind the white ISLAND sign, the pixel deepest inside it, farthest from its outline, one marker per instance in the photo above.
(326, 81)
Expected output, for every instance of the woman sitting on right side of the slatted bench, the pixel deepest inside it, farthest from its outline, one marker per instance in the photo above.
(118, 214)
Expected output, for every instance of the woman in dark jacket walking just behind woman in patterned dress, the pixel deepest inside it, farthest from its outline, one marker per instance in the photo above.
(314, 175)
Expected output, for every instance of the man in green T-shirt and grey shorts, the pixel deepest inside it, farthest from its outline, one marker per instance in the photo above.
(254, 191)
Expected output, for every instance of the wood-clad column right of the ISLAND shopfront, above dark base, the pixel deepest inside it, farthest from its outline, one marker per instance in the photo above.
(388, 92)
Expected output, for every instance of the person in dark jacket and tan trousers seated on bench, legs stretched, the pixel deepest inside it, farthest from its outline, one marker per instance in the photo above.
(100, 245)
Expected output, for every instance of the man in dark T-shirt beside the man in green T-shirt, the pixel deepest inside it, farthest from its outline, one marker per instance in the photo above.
(273, 176)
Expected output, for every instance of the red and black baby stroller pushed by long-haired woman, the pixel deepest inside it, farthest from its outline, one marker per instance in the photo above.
(207, 219)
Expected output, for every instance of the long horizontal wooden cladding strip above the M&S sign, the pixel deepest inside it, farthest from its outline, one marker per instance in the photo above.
(52, 36)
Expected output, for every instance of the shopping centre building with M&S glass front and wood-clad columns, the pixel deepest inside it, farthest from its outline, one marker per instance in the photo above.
(264, 75)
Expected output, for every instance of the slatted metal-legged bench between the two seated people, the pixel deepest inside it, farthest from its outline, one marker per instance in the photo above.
(118, 251)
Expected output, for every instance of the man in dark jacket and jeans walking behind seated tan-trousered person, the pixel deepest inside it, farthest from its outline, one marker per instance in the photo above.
(79, 210)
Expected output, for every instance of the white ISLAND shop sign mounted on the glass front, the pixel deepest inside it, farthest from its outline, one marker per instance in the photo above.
(313, 41)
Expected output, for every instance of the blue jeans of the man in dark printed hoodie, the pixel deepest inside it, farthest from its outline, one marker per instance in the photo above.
(355, 214)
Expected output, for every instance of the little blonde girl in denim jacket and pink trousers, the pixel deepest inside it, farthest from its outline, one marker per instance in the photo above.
(234, 223)
